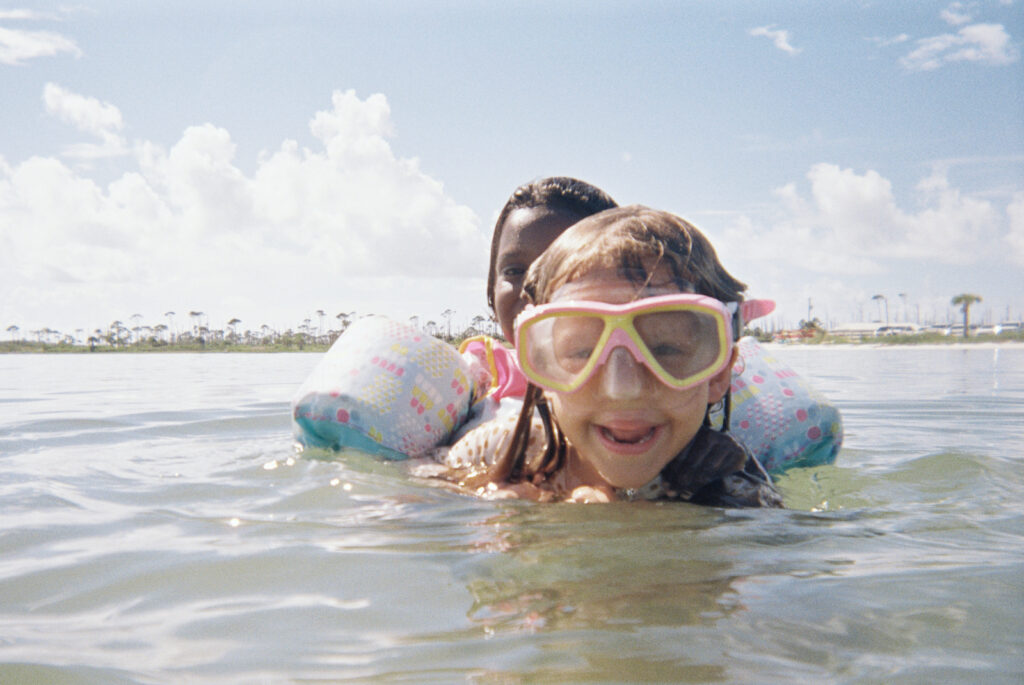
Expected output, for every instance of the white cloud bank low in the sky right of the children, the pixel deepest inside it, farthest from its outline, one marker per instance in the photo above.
(834, 238)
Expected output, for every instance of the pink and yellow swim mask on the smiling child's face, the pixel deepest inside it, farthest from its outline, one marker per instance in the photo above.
(684, 339)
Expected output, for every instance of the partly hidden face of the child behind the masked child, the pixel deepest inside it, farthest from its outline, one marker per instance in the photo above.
(528, 233)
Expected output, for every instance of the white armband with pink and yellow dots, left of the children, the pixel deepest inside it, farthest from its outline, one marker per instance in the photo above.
(386, 389)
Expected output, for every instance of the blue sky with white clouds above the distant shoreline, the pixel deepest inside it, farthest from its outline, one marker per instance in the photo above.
(266, 160)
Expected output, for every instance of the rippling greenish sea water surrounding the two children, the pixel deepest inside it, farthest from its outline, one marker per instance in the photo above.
(156, 527)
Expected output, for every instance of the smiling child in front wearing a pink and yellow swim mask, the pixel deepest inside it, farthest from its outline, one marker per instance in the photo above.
(628, 340)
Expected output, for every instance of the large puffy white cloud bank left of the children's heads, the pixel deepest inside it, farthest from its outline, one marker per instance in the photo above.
(186, 228)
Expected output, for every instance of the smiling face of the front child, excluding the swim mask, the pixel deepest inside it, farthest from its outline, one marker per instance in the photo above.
(624, 422)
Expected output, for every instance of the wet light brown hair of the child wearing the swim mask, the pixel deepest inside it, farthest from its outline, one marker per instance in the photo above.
(636, 242)
